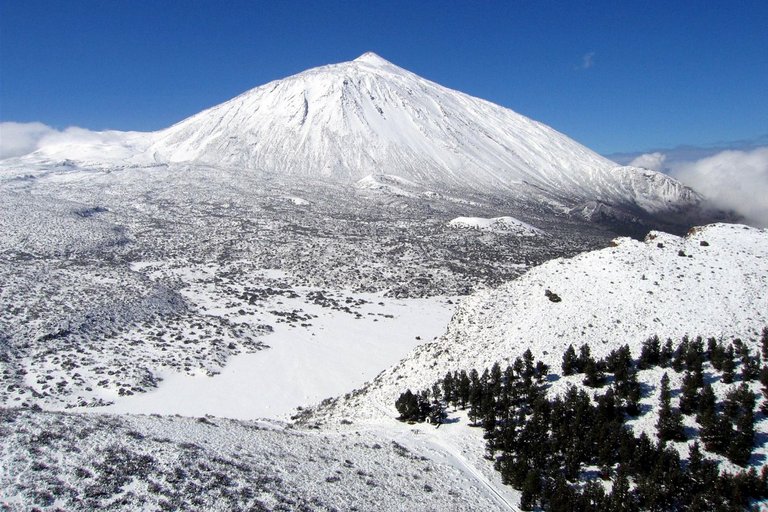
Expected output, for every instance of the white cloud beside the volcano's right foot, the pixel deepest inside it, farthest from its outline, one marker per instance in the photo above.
(736, 180)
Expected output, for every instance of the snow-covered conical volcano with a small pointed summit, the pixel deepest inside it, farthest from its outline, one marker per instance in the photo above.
(368, 116)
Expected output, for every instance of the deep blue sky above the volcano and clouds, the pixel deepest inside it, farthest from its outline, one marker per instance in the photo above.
(660, 73)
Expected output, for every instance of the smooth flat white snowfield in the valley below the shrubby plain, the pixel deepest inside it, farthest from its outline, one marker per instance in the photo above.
(336, 353)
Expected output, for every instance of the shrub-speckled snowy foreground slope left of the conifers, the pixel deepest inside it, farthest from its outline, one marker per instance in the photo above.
(56, 461)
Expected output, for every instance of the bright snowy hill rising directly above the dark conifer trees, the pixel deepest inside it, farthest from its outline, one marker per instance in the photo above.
(710, 282)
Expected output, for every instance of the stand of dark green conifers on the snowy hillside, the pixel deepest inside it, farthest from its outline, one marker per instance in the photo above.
(561, 451)
